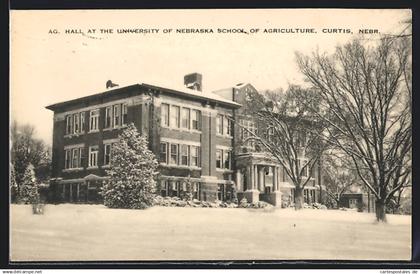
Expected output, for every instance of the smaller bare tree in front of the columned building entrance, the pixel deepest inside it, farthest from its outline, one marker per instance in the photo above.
(289, 132)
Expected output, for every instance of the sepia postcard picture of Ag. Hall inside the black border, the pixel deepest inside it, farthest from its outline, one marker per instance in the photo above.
(210, 135)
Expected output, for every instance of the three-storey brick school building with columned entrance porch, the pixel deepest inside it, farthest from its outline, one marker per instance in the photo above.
(190, 131)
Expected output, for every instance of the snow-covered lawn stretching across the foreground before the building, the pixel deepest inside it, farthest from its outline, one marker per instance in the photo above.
(94, 232)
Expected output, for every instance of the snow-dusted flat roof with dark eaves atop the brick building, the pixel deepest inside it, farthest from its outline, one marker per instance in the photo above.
(180, 91)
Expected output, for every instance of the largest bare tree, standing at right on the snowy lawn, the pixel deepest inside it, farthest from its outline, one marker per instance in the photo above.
(368, 101)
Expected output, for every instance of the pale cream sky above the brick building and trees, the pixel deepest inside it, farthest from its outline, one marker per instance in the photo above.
(48, 67)
